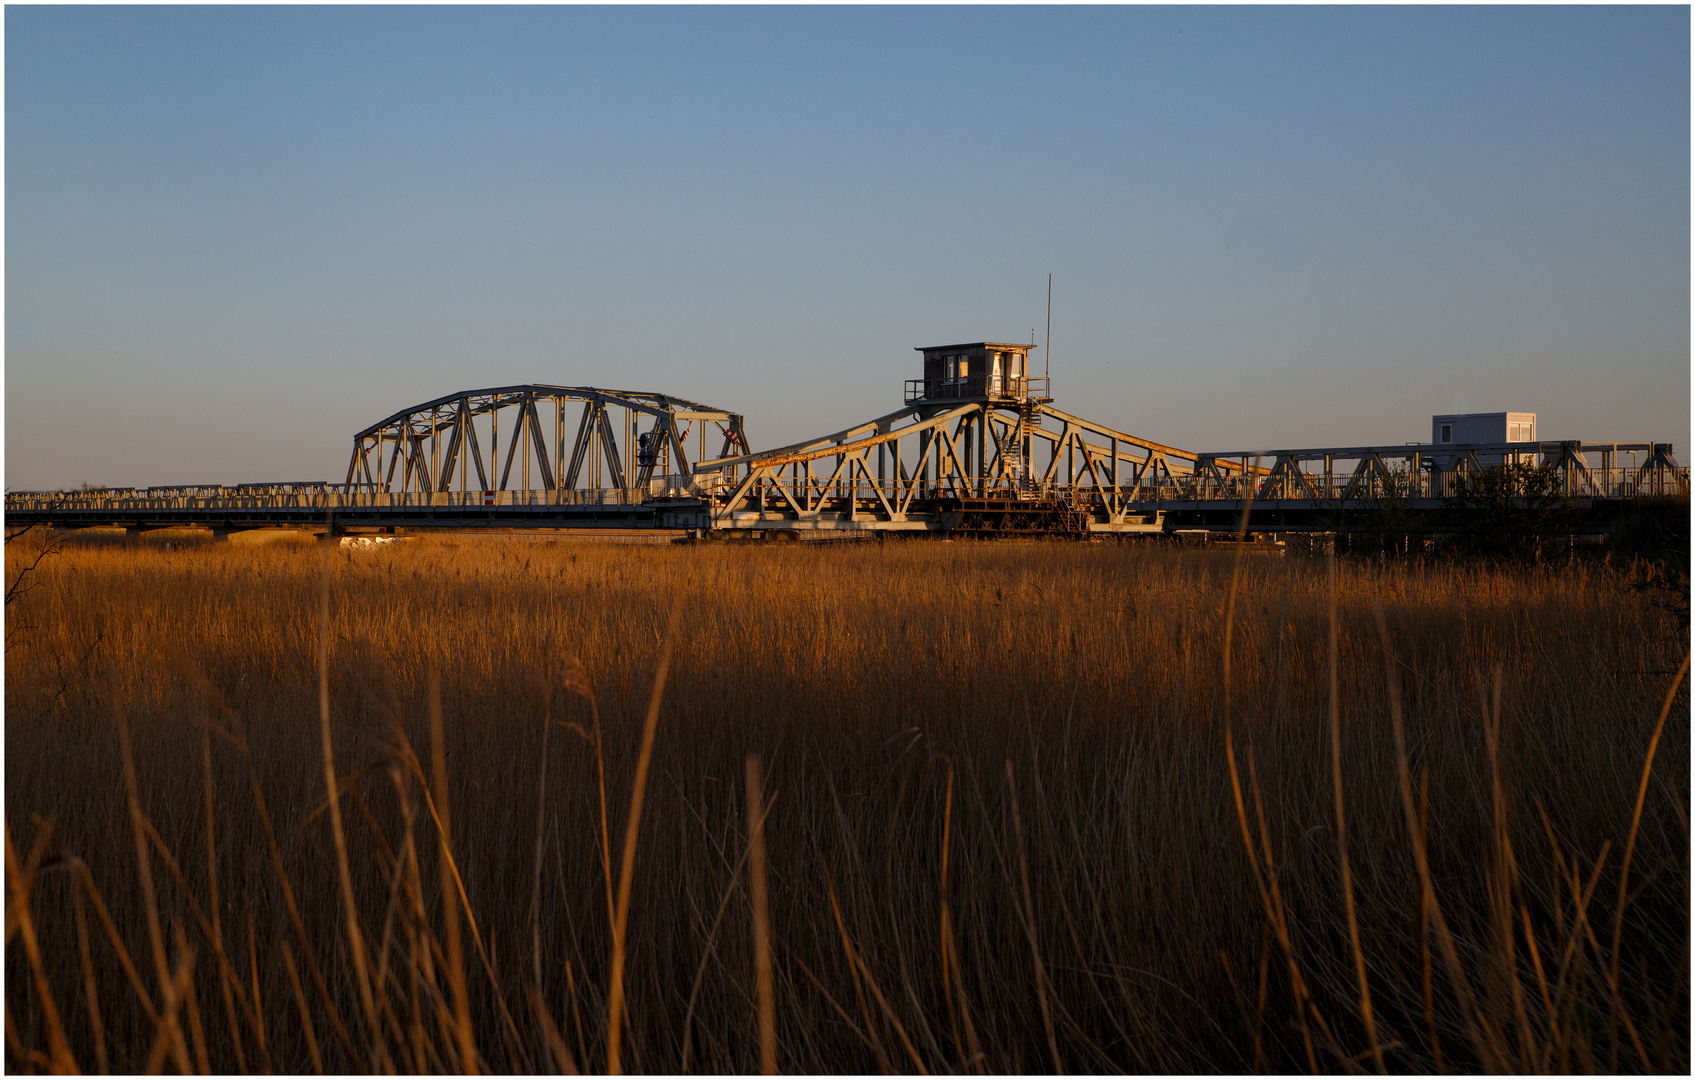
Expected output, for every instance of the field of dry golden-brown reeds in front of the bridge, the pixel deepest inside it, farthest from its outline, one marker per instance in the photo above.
(862, 808)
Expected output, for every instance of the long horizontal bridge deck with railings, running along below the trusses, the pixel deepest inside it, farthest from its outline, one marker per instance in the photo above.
(770, 503)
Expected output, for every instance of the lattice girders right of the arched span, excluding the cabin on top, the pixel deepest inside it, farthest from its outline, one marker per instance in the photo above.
(984, 447)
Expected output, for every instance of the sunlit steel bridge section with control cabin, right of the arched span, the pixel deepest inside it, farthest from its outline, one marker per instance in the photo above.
(981, 450)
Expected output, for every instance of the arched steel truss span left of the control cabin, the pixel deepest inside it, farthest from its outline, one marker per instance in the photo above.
(542, 438)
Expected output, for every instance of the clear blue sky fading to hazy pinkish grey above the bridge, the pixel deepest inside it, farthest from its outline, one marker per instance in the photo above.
(236, 237)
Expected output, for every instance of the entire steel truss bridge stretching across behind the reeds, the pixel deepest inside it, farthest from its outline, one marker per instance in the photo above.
(994, 465)
